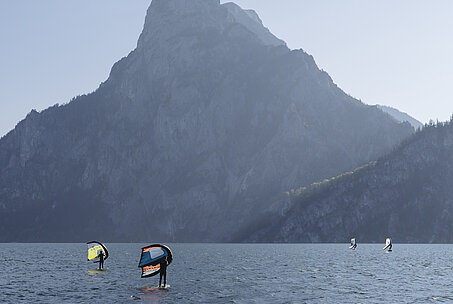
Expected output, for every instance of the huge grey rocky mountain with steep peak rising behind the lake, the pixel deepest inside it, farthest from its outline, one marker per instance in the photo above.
(189, 139)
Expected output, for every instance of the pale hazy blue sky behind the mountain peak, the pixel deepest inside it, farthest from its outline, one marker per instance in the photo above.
(397, 53)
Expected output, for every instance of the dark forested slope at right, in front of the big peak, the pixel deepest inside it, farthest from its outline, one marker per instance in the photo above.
(406, 195)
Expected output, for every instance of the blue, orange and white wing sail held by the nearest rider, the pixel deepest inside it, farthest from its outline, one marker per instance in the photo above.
(151, 257)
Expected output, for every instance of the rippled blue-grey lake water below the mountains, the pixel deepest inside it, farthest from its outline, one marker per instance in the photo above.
(230, 273)
